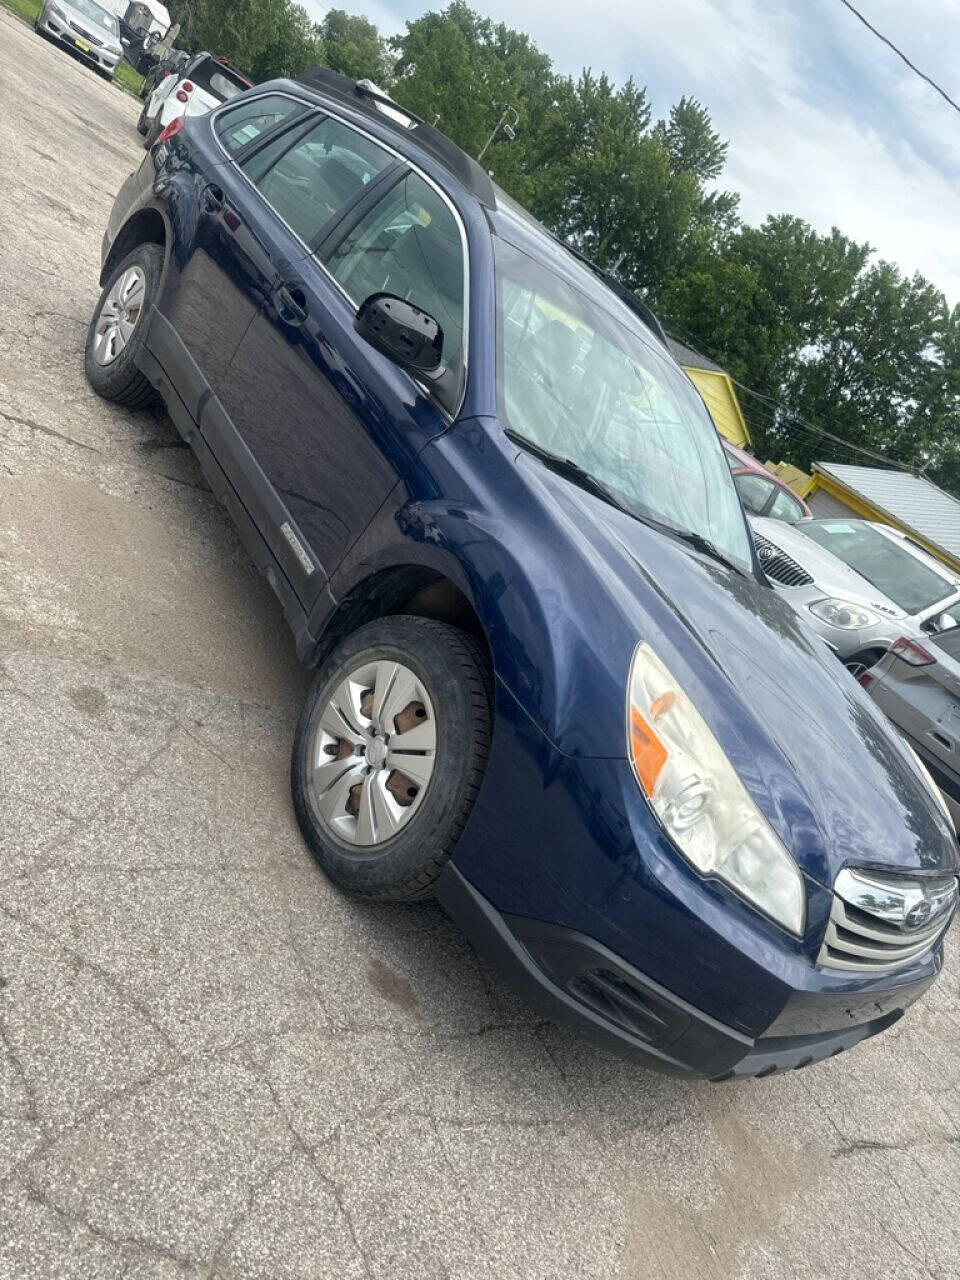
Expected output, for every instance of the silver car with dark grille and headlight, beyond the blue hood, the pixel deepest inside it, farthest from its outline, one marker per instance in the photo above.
(860, 584)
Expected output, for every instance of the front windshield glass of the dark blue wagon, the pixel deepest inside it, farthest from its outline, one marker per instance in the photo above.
(579, 378)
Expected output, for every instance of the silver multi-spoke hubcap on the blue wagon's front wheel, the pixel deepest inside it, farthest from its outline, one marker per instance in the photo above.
(373, 748)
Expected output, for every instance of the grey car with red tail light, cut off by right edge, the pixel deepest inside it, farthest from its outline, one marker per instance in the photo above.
(918, 685)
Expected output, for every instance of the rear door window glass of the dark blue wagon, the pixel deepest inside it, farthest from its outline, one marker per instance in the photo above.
(313, 179)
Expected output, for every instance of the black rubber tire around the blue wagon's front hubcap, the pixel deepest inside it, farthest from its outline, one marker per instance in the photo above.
(454, 670)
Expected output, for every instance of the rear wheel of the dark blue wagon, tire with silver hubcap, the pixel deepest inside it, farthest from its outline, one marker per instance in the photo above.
(116, 333)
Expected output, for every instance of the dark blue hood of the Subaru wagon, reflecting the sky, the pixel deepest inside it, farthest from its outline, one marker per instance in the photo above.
(820, 760)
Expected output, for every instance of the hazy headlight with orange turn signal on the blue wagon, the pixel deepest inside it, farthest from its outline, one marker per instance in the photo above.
(701, 802)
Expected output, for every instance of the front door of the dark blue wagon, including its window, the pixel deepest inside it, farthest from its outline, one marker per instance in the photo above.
(332, 424)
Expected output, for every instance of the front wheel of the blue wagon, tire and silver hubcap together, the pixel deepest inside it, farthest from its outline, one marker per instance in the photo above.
(390, 755)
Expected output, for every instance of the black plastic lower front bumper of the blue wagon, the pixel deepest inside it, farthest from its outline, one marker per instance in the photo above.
(580, 984)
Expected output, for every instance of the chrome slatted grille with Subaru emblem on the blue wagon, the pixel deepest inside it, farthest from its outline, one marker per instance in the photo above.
(860, 940)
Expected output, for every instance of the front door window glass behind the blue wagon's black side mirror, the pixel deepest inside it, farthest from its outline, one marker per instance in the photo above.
(409, 245)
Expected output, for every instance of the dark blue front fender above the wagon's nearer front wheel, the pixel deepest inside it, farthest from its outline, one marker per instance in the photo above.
(465, 514)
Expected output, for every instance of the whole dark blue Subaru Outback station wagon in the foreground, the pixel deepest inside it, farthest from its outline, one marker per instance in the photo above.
(554, 687)
